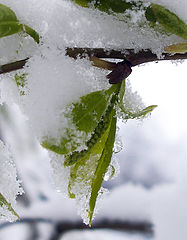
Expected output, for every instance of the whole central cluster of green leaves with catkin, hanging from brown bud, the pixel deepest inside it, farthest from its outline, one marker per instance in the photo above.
(95, 114)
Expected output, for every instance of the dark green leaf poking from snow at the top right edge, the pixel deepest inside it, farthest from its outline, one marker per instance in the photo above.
(167, 19)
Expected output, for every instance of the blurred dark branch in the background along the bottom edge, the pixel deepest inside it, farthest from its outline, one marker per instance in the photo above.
(63, 226)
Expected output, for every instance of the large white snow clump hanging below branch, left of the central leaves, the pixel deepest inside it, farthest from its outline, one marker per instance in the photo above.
(55, 81)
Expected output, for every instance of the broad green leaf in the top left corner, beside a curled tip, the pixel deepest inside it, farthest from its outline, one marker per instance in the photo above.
(9, 23)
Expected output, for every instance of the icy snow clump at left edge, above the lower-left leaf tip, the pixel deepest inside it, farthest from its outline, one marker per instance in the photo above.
(9, 185)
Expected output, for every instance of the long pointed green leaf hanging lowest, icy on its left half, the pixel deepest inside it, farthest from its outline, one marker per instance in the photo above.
(91, 168)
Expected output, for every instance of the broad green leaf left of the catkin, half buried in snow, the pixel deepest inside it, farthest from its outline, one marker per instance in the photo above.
(85, 115)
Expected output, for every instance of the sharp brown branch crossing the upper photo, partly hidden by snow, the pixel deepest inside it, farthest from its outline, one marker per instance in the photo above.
(135, 59)
